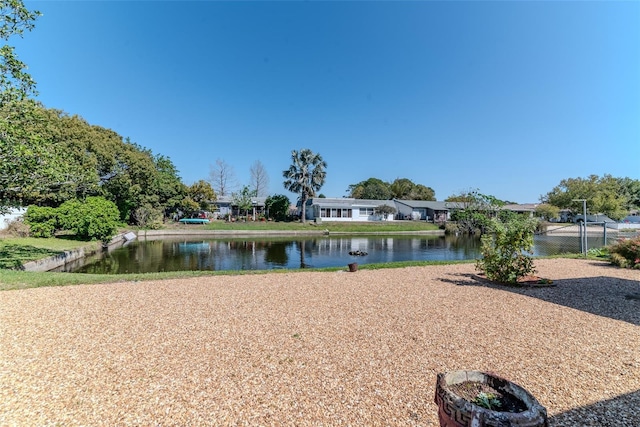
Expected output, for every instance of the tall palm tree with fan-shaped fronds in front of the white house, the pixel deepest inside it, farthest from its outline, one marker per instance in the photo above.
(305, 176)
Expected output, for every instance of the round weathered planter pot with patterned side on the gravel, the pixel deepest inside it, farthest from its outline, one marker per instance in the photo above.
(455, 410)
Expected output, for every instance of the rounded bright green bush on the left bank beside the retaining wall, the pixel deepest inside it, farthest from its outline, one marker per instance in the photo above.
(96, 218)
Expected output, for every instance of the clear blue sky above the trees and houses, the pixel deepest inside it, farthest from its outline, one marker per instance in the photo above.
(506, 97)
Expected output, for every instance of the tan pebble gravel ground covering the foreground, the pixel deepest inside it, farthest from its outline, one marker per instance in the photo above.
(310, 349)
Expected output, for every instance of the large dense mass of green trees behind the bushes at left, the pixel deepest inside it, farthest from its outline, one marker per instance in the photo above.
(48, 157)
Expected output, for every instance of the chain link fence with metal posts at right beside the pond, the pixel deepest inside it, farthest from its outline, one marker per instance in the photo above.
(576, 238)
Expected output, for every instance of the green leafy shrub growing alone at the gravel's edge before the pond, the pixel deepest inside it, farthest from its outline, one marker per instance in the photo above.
(506, 249)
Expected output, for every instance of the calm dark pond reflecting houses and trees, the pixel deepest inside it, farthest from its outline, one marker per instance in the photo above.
(257, 253)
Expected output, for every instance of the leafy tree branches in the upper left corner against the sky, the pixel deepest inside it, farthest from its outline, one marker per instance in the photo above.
(15, 82)
